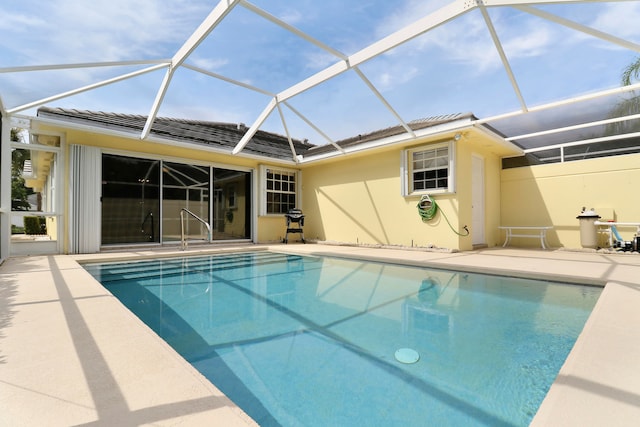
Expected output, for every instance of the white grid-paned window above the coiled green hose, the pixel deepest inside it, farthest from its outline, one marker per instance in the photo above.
(428, 169)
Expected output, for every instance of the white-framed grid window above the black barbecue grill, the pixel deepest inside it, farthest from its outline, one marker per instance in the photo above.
(280, 190)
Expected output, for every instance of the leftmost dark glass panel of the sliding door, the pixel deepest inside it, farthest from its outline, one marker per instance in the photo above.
(130, 200)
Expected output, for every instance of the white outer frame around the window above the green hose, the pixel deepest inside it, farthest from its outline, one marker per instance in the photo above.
(408, 183)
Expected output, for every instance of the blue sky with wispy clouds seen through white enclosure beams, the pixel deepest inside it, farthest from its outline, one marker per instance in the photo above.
(454, 68)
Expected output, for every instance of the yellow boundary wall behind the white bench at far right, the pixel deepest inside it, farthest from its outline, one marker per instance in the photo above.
(554, 195)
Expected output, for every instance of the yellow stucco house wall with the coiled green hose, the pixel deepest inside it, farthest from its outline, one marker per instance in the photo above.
(357, 199)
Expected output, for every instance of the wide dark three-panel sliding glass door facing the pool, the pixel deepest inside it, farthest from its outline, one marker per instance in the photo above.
(142, 200)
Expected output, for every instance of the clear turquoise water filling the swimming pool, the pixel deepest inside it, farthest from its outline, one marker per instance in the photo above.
(305, 341)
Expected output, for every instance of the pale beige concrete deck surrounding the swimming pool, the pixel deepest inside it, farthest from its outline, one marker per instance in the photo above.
(71, 354)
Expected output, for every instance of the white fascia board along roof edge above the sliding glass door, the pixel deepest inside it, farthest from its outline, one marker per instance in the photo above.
(164, 141)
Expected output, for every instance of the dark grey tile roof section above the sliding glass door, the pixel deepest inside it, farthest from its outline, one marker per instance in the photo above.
(197, 132)
